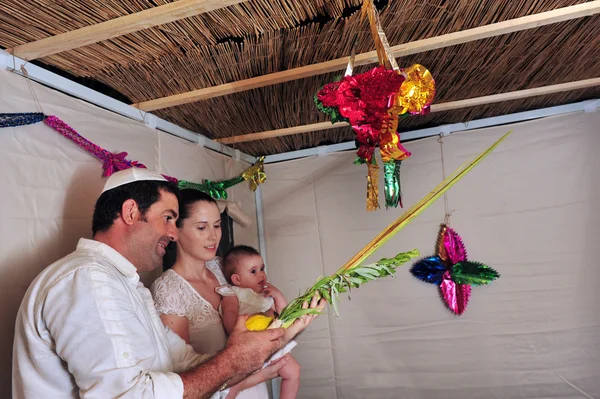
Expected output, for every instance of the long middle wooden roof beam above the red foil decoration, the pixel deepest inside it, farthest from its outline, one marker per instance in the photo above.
(451, 39)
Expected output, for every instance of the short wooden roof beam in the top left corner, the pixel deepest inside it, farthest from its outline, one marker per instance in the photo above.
(117, 27)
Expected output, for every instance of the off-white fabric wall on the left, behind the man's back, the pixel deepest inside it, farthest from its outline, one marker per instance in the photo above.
(49, 187)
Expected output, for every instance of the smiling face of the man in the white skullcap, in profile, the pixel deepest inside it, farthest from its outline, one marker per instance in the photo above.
(153, 231)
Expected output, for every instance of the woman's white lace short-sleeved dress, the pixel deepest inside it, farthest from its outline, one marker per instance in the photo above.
(175, 296)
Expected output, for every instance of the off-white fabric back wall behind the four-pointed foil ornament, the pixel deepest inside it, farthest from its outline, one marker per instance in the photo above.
(529, 210)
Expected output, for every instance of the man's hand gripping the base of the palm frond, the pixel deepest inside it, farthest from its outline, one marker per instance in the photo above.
(249, 350)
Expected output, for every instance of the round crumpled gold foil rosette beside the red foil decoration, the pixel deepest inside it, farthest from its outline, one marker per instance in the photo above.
(417, 91)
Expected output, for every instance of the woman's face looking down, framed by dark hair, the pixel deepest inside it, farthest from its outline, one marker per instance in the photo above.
(200, 234)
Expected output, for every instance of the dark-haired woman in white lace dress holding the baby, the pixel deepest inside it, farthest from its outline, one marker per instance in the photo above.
(185, 295)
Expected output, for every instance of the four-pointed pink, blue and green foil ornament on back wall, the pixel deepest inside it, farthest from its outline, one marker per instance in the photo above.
(452, 272)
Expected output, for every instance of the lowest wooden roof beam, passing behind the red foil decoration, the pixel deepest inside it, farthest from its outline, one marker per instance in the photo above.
(471, 102)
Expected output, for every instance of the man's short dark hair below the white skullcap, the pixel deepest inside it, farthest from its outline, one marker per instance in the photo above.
(144, 193)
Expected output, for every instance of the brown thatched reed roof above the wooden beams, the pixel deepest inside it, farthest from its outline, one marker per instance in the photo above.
(264, 36)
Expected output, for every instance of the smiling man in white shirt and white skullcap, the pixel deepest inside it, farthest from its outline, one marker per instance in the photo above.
(88, 328)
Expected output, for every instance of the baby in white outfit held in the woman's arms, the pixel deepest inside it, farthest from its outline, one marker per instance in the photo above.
(250, 293)
